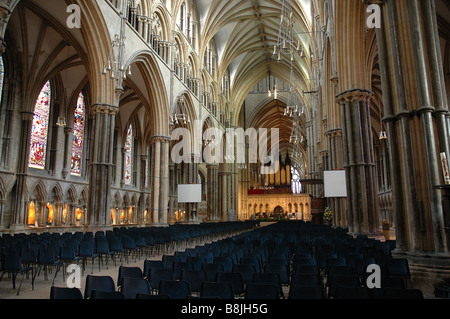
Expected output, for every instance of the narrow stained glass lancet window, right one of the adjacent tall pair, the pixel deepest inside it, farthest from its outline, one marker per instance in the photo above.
(78, 135)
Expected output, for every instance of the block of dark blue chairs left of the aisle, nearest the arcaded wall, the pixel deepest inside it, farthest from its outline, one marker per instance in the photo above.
(25, 253)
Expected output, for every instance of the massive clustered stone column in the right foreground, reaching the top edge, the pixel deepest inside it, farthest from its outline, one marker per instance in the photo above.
(416, 128)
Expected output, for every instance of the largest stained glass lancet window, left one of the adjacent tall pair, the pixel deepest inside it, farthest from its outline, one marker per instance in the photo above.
(39, 131)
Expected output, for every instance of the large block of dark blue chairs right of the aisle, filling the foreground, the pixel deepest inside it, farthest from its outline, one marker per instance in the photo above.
(244, 261)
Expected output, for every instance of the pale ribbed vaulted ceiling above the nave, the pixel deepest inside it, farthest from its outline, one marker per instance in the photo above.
(245, 32)
